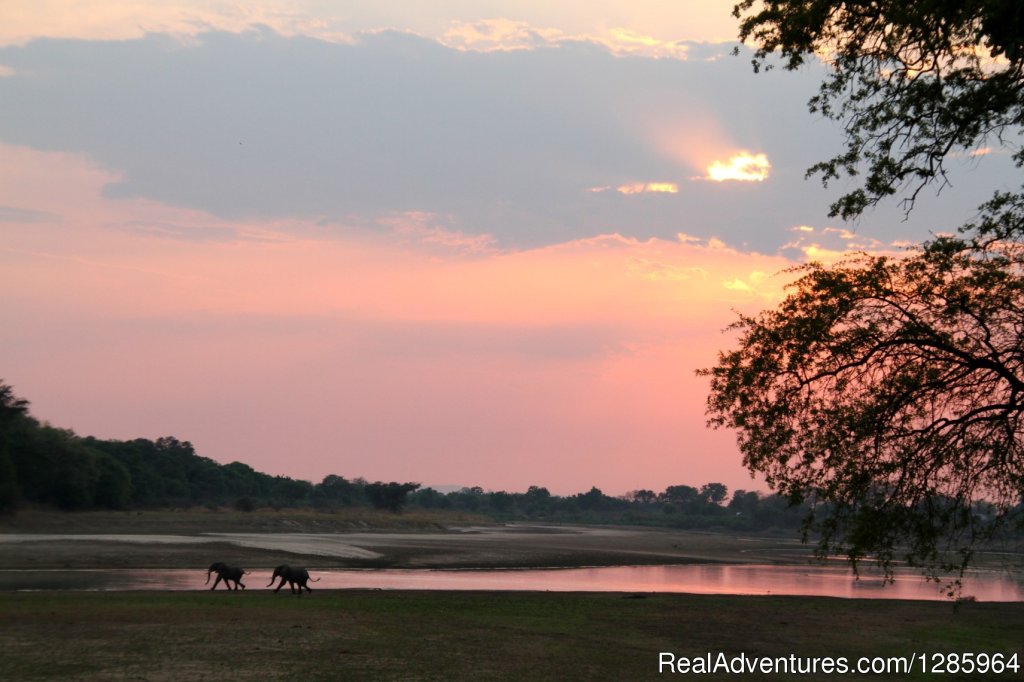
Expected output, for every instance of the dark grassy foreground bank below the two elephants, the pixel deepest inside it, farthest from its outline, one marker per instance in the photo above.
(374, 635)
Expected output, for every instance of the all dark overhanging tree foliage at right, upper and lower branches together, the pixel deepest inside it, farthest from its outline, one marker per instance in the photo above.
(888, 394)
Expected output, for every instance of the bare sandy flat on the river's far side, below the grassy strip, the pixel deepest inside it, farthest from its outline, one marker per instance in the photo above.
(514, 546)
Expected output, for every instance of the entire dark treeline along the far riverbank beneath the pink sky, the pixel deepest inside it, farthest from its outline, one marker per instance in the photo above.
(41, 464)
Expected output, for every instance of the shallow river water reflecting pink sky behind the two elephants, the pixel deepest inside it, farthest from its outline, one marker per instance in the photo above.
(704, 579)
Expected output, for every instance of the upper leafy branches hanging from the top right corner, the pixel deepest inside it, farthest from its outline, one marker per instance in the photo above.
(912, 82)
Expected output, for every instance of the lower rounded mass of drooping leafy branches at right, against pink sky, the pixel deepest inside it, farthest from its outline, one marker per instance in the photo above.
(889, 393)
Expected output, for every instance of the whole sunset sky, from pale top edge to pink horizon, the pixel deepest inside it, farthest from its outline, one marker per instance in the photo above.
(458, 243)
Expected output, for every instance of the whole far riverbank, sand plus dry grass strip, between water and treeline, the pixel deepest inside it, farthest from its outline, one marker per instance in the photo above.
(260, 541)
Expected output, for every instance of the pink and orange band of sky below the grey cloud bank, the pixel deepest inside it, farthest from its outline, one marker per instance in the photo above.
(416, 355)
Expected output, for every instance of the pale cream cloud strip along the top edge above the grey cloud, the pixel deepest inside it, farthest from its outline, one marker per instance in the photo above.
(644, 23)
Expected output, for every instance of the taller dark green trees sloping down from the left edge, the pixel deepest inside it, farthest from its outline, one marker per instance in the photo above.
(46, 465)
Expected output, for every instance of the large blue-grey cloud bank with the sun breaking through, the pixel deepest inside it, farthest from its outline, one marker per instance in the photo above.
(502, 145)
